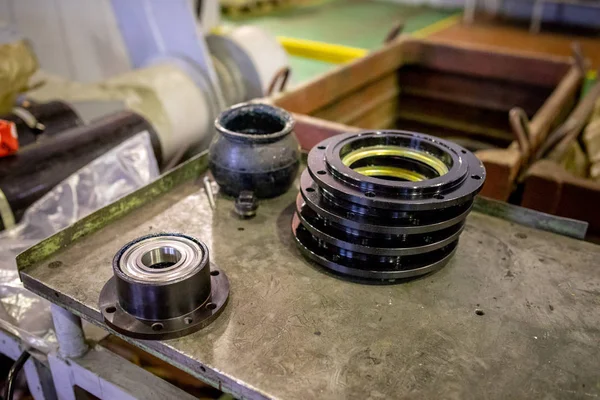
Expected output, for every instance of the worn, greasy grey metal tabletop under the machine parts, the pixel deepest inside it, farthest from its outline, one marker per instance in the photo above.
(291, 331)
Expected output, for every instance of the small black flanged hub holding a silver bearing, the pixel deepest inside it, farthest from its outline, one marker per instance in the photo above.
(163, 287)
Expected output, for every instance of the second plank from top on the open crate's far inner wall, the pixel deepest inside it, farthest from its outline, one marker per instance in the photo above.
(494, 94)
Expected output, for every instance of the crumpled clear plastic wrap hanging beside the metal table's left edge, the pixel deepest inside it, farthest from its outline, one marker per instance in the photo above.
(120, 171)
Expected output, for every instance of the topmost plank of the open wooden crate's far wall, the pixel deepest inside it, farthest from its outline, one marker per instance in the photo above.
(486, 62)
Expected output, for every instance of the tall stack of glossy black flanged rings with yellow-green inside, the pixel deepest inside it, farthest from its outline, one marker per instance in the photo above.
(385, 205)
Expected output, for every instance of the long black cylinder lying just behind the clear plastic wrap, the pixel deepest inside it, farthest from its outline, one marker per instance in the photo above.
(32, 172)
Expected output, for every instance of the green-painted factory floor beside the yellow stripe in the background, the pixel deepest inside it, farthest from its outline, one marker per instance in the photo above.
(355, 23)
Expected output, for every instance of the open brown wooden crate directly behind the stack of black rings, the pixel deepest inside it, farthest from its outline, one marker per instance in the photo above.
(461, 92)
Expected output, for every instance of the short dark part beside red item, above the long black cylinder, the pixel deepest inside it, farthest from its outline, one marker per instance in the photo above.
(39, 121)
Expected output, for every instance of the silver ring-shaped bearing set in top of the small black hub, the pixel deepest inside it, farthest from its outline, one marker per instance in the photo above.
(161, 259)
